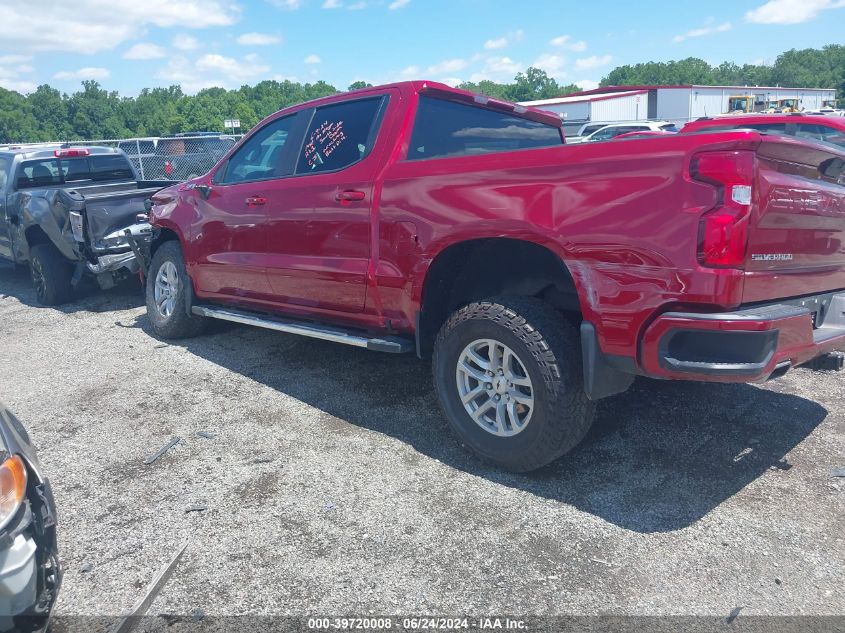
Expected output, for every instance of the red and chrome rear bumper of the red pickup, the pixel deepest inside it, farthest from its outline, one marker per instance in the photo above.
(748, 345)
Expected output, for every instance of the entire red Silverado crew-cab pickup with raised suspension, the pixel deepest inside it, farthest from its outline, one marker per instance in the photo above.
(539, 277)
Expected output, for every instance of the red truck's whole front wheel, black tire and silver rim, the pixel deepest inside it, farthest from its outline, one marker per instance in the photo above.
(168, 289)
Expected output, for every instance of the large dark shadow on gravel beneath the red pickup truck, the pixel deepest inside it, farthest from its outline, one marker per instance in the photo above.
(658, 458)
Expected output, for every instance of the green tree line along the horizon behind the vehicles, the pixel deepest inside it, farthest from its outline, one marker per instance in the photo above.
(95, 113)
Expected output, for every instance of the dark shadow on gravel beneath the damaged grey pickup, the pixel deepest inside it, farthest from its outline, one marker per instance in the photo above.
(88, 297)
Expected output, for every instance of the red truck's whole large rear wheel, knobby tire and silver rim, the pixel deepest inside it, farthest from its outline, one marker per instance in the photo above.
(509, 378)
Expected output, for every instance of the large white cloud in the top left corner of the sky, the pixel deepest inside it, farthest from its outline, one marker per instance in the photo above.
(91, 26)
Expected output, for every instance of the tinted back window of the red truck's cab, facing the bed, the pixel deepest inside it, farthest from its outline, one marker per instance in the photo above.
(444, 129)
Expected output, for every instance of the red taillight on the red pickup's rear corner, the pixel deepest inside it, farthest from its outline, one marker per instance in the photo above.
(723, 231)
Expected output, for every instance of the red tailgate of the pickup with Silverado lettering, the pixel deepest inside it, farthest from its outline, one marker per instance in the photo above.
(796, 242)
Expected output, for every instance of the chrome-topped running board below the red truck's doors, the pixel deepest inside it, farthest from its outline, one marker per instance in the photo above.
(391, 344)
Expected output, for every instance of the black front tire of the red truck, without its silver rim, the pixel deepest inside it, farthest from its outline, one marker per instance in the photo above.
(178, 323)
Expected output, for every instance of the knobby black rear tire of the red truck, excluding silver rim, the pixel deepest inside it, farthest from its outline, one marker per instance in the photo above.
(549, 349)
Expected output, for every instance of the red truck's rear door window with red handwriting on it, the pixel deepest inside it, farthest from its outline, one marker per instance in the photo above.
(340, 135)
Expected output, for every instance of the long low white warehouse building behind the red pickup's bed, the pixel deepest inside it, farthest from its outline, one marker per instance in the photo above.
(677, 104)
